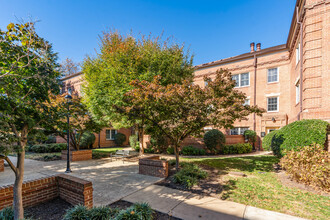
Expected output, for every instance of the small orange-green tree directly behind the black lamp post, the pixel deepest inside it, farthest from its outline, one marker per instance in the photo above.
(81, 121)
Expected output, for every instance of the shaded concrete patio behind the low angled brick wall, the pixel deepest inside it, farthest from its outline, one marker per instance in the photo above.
(111, 180)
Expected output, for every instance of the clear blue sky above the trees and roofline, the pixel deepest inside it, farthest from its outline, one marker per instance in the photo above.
(211, 29)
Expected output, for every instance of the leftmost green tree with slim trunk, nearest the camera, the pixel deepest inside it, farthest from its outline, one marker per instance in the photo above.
(28, 73)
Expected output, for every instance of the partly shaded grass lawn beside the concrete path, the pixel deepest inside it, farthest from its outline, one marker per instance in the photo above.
(263, 189)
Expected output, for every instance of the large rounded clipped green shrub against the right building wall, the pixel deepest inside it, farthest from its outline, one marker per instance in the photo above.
(298, 134)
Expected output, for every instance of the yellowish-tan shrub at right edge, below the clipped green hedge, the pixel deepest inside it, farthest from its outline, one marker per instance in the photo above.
(311, 165)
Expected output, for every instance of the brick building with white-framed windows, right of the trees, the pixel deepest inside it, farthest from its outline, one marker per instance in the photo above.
(291, 81)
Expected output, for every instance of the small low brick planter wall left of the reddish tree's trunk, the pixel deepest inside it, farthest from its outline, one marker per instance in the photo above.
(153, 166)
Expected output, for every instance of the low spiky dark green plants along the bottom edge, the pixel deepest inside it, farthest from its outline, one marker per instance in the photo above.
(137, 211)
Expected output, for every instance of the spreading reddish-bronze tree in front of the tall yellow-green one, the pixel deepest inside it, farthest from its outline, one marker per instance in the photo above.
(181, 110)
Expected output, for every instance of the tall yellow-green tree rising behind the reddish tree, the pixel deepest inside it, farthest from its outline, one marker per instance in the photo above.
(123, 59)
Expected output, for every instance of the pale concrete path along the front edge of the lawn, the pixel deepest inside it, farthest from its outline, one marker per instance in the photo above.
(186, 205)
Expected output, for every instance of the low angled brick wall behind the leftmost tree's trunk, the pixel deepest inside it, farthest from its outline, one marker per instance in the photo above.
(72, 189)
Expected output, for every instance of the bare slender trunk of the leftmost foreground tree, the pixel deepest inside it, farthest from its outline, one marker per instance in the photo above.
(19, 175)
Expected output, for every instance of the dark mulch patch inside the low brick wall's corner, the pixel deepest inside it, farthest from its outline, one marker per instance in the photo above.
(51, 210)
